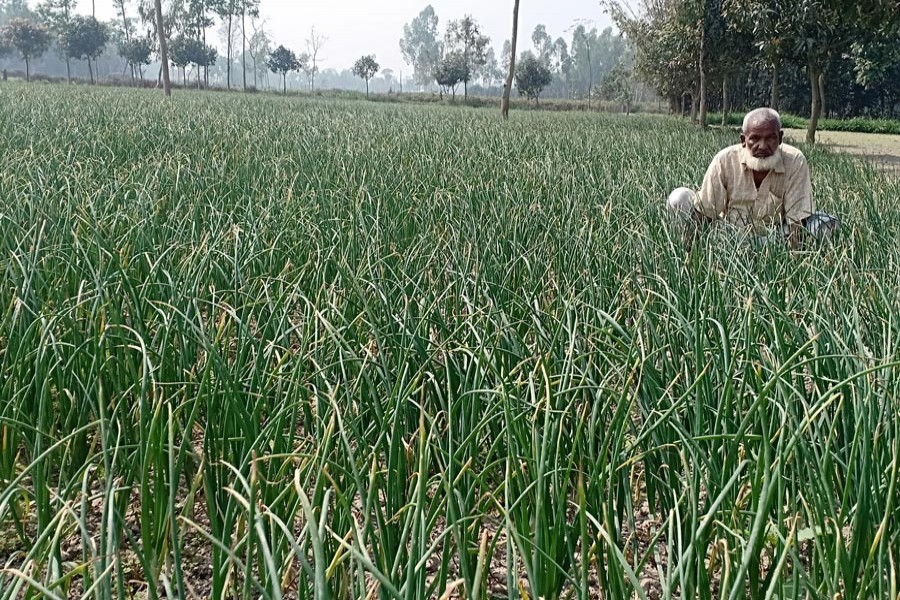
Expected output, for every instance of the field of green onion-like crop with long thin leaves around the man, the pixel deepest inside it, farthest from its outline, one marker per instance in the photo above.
(264, 347)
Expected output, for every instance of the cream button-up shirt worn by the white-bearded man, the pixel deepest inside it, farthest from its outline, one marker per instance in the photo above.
(729, 192)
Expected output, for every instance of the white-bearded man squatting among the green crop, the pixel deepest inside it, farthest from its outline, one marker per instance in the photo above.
(757, 184)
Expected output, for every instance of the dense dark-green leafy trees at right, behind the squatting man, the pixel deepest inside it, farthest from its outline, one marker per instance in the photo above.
(814, 57)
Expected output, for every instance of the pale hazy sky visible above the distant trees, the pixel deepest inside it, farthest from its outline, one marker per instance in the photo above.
(357, 27)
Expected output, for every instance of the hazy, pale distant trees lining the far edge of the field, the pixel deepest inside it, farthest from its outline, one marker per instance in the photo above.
(460, 57)
